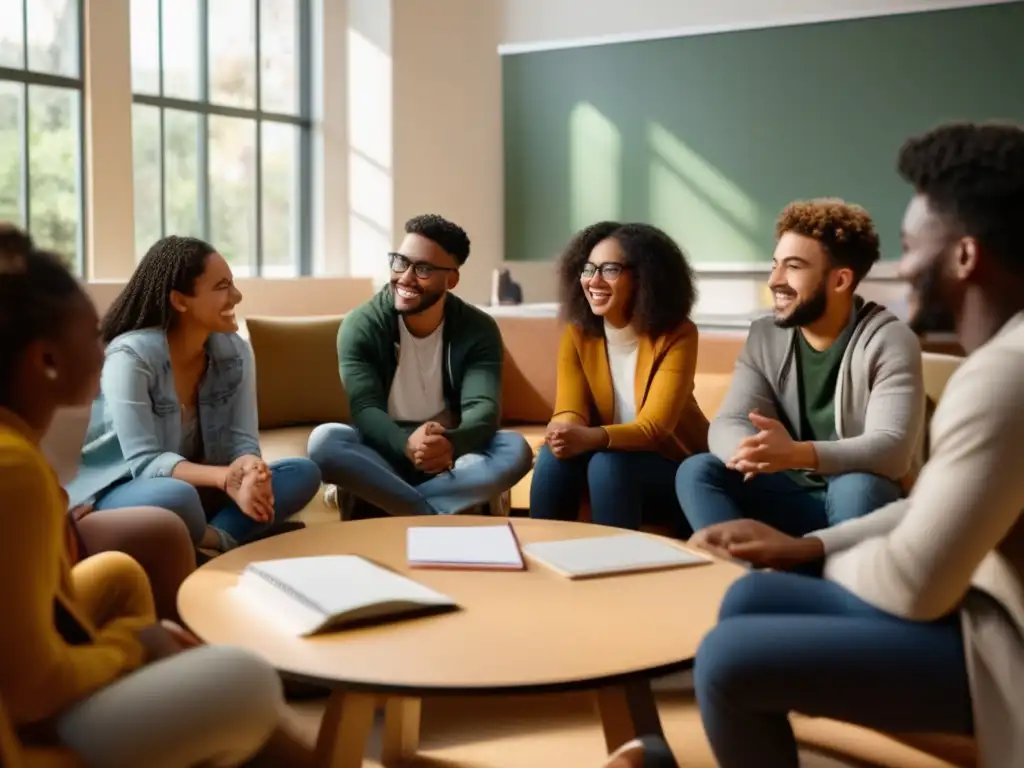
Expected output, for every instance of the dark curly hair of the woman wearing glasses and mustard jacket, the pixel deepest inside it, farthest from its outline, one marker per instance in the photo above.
(665, 290)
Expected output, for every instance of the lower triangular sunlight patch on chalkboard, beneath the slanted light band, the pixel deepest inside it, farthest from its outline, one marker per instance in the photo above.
(706, 234)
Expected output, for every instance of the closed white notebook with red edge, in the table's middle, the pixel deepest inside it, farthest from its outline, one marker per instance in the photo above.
(494, 547)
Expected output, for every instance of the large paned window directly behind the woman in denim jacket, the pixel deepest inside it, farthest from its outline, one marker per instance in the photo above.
(221, 127)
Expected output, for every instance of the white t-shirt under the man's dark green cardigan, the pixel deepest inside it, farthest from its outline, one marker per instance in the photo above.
(418, 391)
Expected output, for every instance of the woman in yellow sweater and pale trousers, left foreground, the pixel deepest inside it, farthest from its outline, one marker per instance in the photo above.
(83, 662)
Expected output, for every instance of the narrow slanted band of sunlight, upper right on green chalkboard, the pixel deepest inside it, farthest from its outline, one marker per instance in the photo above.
(704, 178)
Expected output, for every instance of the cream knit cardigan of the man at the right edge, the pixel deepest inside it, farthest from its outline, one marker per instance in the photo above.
(958, 542)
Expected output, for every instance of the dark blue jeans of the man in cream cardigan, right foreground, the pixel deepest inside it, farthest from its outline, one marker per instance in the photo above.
(793, 644)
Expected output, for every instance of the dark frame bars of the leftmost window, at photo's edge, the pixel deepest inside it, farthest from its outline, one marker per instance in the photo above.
(27, 78)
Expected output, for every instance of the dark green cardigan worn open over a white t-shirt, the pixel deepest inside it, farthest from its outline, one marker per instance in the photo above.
(473, 358)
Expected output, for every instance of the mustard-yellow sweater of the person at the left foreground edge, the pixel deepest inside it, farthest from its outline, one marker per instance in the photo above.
(41, 673)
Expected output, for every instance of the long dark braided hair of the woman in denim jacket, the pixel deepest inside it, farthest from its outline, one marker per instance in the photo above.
(172, 265)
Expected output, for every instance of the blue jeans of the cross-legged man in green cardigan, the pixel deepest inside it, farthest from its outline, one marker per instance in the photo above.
(346, 461)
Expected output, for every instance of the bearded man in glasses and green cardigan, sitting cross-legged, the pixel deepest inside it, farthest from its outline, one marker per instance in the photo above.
(423, 373)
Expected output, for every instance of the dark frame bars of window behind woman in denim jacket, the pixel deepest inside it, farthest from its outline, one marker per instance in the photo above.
(204, 109)
